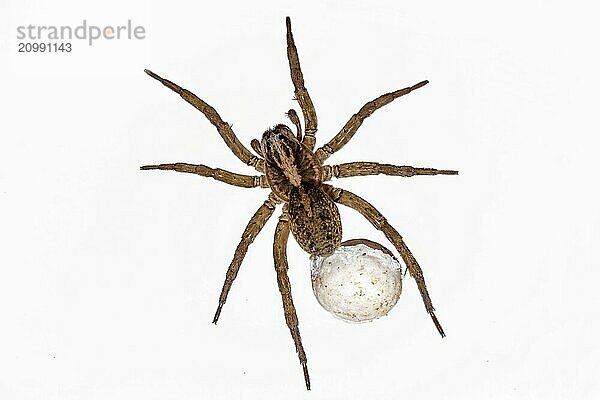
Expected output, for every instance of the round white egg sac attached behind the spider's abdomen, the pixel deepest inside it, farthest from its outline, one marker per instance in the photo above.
(358, 282)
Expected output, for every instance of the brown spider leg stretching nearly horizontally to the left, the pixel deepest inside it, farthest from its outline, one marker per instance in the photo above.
(219, 174)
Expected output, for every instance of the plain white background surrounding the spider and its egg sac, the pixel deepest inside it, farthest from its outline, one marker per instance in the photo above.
(109, 276)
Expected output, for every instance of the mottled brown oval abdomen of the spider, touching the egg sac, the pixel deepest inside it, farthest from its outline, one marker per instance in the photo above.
(314, 220)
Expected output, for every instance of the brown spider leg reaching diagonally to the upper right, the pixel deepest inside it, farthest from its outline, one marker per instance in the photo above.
(357, 119)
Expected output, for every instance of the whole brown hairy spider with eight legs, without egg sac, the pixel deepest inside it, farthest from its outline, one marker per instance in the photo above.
(295, 174)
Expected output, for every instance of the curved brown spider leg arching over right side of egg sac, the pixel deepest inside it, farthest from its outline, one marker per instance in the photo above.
(351, 200)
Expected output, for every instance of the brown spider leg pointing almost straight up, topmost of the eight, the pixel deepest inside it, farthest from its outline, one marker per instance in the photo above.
(308, 110)
